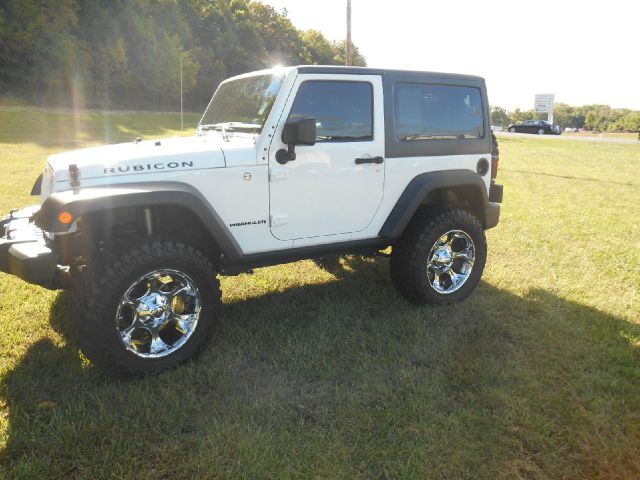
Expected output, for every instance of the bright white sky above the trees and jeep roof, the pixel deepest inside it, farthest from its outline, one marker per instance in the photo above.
(584, 52)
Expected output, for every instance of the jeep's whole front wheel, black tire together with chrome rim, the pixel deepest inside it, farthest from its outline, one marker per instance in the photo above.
(151, 309)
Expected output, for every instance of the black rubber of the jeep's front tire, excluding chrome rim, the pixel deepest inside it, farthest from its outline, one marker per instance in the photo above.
(98, 336)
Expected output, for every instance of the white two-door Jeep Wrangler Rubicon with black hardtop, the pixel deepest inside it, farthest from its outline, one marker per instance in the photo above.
(286, 164)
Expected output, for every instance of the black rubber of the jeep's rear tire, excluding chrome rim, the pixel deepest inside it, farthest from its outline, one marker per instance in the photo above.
(409, 257)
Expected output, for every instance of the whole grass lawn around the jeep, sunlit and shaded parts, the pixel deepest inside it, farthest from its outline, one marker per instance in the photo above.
(328, 373)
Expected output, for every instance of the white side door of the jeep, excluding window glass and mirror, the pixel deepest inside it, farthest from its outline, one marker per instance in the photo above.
(323, 192)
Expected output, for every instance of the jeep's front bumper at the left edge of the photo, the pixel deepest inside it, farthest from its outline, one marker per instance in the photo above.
(24, 251)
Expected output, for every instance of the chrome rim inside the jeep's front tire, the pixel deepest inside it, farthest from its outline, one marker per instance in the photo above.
(158, 313)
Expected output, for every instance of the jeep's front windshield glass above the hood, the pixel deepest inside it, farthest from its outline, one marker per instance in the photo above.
(242, 104)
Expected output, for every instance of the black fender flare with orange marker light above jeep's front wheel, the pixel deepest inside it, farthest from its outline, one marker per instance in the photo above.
(95, 199)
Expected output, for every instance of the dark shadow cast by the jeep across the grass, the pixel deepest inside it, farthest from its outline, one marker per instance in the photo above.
(346, 379)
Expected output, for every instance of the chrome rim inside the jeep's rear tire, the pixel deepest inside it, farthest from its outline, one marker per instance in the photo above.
(450, 261)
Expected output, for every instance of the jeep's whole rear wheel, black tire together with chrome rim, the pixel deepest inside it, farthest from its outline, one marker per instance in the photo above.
(440, 257)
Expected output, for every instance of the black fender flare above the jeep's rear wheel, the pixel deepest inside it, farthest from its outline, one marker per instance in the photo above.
(420, 187)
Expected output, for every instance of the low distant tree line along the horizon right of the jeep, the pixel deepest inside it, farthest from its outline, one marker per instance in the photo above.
(600, 118)
